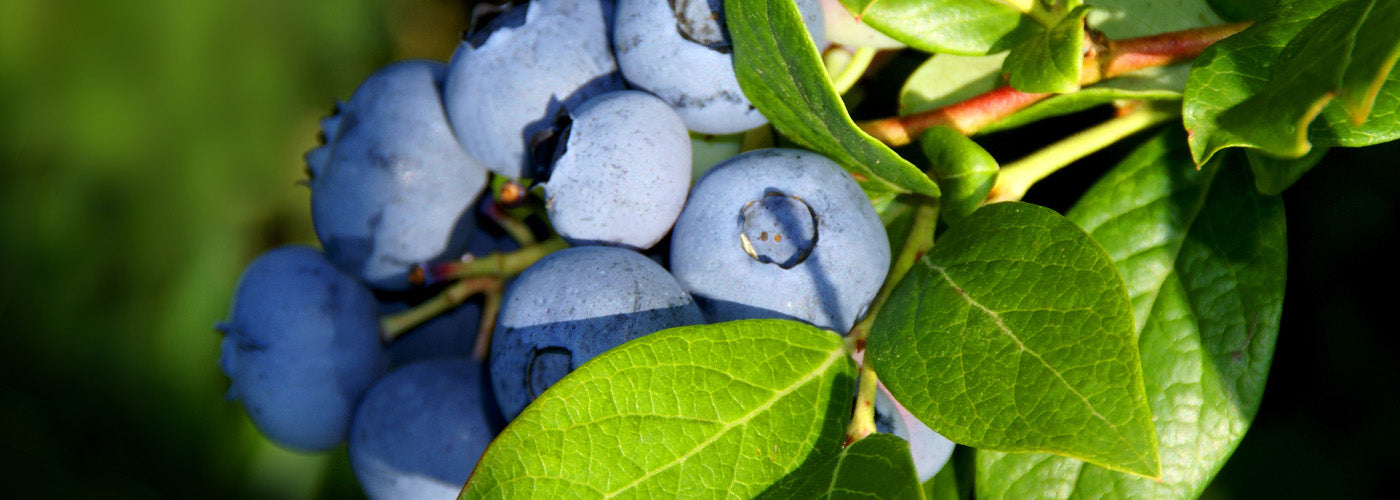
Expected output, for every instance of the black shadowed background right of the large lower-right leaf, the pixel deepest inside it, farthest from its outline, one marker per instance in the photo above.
(1328, 418)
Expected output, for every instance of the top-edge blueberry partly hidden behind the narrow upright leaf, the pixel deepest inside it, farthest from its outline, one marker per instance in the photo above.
(680, 50)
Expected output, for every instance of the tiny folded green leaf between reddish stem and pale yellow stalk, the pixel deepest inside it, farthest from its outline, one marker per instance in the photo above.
(965, 172)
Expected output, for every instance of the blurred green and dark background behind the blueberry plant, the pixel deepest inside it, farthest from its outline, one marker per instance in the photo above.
(152, 149)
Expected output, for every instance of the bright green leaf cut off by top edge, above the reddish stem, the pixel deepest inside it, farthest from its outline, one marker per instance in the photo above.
(964, 27)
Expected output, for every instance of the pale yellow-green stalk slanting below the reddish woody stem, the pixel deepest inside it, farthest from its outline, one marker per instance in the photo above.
(1016, 179)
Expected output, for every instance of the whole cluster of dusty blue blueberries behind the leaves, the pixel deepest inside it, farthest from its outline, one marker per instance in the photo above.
(596, 103)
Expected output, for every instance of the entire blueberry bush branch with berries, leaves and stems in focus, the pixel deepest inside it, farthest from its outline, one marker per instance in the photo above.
(836, 307)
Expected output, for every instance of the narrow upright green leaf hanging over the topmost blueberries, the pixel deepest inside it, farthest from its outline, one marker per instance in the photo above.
(783, 76)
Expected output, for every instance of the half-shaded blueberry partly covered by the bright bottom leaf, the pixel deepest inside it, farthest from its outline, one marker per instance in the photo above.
(573, 306)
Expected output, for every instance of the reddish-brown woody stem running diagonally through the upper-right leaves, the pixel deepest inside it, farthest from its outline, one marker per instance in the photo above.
(1108, 60)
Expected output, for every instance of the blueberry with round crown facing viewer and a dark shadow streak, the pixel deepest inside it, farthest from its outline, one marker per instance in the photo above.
(780, 235)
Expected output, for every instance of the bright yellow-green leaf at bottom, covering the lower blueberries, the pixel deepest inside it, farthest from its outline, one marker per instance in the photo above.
(709, 411)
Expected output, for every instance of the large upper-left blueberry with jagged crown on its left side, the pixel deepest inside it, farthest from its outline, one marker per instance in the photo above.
(393, 188)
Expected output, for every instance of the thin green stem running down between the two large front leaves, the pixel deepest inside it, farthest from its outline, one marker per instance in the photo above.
(918, 243)
